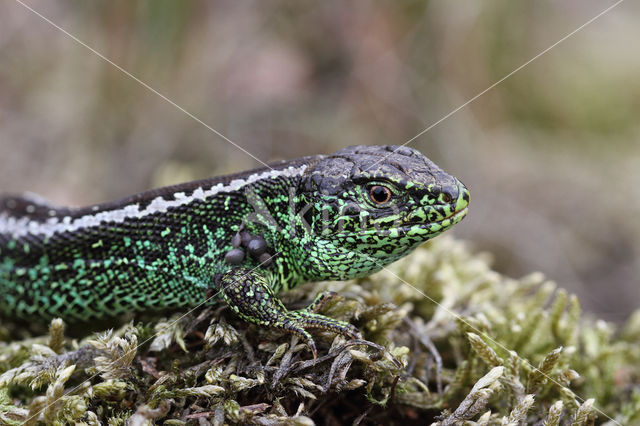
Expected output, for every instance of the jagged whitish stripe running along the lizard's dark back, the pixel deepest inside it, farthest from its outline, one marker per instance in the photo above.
(20, 227)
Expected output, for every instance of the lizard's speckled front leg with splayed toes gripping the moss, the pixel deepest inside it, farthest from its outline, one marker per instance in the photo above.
(248, 293)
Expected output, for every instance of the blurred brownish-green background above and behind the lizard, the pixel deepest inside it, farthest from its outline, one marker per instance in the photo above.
(551, 155)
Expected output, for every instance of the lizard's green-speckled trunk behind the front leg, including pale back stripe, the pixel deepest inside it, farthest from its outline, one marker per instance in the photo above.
(154, 250)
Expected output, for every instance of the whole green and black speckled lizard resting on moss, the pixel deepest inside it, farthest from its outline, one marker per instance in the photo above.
(241, 238)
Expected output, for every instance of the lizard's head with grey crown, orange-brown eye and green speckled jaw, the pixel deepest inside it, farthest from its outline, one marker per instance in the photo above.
(364, 207)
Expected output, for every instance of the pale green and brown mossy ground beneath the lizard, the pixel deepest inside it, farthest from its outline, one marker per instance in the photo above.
(492, 350)
